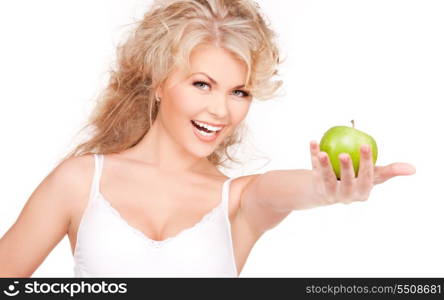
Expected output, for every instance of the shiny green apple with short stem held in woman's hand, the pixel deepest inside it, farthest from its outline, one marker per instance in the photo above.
(344, 139)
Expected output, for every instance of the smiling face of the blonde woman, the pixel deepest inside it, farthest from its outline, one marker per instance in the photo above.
(212, 93)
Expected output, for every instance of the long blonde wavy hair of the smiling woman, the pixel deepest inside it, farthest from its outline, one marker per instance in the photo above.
(163, 40)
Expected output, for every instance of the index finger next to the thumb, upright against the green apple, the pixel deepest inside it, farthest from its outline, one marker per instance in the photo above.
(364, 182)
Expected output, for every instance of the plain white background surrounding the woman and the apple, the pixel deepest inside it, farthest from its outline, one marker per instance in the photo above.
(378, 62)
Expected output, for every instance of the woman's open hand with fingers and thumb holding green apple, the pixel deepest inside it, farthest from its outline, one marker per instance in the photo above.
(349, 188)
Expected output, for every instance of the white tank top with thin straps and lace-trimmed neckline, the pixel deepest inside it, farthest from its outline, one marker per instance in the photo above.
(107, 246)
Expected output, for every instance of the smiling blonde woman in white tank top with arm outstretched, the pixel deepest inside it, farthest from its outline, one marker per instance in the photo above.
(144, 195)
